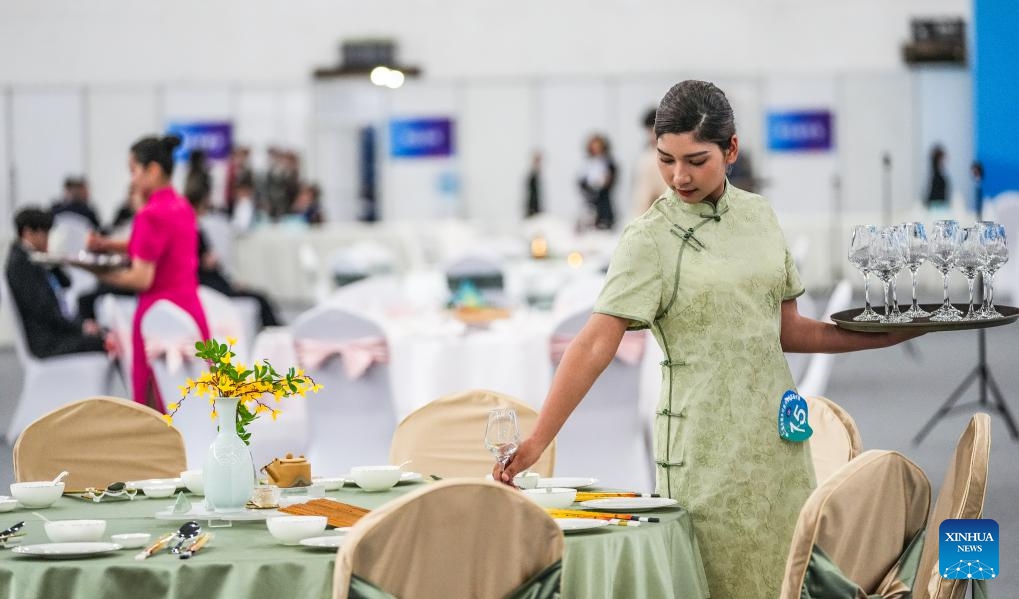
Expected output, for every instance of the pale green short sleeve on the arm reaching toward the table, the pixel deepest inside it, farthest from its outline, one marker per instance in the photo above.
(633, 286)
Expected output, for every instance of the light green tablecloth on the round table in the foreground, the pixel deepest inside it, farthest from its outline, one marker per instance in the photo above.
(245, 561)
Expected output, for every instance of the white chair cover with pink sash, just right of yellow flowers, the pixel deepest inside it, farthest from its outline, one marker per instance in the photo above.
(353, 419)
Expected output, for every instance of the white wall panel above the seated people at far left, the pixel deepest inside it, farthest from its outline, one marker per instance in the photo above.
(48, 140)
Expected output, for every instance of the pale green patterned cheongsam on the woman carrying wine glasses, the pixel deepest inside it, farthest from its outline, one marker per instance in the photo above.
(710, 282)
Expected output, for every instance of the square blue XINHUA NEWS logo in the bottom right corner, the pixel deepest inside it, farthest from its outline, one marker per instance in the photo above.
(969, 550)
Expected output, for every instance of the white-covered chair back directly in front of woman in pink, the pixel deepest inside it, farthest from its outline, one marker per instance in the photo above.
(168, 324)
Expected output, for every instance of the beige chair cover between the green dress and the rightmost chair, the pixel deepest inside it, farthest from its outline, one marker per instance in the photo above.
(864, 518)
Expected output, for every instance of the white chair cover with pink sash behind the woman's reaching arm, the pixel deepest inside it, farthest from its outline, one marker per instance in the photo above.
(606, 434)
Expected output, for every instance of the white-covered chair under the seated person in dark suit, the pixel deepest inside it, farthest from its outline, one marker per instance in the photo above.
(48, 384)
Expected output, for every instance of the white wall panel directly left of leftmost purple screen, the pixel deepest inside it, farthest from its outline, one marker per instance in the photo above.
(117, 119)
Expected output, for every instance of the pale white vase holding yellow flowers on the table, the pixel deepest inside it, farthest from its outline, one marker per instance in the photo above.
(230, 473)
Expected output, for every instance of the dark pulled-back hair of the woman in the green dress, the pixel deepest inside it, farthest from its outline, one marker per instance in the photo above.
(700, 108)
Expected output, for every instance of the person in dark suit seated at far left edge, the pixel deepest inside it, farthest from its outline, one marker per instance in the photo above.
(50, 329)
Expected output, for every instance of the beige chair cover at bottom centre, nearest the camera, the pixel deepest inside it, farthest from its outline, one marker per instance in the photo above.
(457, 538)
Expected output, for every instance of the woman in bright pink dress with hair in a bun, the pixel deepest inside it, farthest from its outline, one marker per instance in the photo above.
(164, 249)
